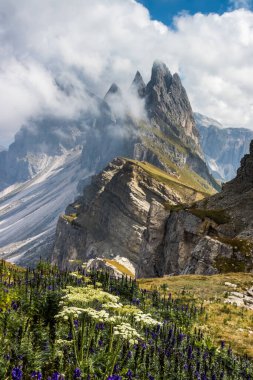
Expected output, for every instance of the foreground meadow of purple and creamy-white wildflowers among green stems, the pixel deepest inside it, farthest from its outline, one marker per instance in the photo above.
(57, 325)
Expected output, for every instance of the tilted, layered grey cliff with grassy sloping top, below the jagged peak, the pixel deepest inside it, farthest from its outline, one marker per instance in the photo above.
(121, 213)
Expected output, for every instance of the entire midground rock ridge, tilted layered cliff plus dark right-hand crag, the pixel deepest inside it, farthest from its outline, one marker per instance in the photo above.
(162, 225)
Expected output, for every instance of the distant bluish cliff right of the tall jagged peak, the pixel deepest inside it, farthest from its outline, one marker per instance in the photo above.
(223, 147)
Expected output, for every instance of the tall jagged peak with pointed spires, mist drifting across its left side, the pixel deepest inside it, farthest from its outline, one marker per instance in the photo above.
(166, 134)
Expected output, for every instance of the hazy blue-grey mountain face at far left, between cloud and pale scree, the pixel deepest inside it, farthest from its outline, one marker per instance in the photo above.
(42, 140)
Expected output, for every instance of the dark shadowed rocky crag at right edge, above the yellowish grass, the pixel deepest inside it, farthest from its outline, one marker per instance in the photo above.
(214, 235)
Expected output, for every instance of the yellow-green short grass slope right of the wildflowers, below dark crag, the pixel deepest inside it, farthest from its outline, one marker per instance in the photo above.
(221, 321)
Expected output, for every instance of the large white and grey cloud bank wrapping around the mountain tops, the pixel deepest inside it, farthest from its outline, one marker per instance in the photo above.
(90, 44)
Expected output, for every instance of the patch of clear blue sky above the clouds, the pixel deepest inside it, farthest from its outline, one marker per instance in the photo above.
(165, 10)
